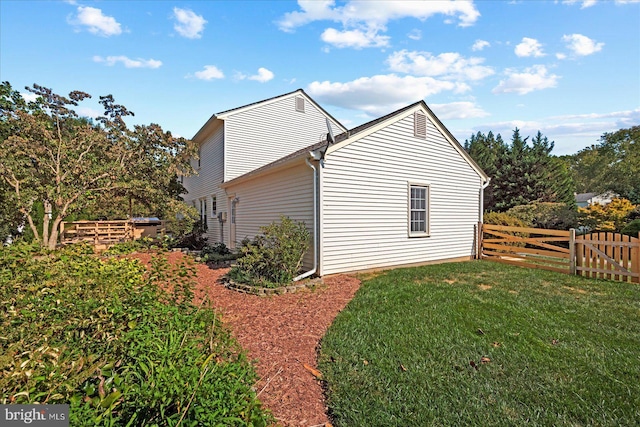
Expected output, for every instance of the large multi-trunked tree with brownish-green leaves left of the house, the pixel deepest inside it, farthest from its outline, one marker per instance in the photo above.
(71, 165)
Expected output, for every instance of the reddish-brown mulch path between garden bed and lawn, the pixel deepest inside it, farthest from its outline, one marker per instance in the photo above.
(281, 334)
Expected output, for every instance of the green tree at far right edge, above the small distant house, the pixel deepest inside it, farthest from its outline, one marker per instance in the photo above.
(611, 165)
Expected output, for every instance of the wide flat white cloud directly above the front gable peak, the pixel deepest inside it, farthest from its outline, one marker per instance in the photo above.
(380, 94)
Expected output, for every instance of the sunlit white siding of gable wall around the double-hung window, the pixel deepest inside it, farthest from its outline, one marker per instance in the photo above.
(364, 200)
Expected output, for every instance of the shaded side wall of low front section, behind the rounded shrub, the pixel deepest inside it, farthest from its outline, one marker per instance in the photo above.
(262, 200)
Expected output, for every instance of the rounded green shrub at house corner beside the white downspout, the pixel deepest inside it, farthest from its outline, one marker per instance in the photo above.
(274, 258)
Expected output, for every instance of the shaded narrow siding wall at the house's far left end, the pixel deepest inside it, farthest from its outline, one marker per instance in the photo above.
(205, 184)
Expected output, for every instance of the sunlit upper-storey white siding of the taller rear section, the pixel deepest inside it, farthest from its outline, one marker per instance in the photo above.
(261, 135)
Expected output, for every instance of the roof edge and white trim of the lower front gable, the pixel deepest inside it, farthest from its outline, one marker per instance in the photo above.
(346, 138)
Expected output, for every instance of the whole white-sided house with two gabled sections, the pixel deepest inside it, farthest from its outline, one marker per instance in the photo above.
(398, 190)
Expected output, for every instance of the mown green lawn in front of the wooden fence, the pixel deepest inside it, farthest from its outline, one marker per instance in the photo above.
(557, 349)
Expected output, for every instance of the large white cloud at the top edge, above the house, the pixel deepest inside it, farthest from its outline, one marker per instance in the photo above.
(363, 21)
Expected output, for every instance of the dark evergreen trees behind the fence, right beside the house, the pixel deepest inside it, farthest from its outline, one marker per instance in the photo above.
(521, 173)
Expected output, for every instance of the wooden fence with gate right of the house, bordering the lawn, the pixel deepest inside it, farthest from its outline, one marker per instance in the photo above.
(605, 255)
